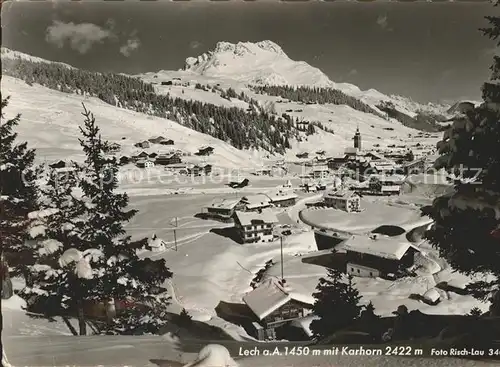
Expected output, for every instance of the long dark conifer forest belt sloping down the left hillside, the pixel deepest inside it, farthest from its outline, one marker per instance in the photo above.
(244, 129)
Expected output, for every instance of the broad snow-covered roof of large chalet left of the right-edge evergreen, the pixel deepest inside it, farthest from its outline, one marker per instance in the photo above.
(378, 246)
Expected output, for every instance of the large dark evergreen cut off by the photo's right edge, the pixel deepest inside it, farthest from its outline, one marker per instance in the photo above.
(466, 220)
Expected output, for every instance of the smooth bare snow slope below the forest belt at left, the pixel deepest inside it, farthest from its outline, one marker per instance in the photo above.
(50, 121)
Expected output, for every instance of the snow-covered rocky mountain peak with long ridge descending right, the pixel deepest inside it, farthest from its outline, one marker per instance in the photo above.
(265, 63)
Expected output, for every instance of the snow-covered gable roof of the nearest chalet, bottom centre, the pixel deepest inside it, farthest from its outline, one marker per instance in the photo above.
(268, 297)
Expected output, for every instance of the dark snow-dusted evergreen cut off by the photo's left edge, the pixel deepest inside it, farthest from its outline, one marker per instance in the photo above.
(18, 193)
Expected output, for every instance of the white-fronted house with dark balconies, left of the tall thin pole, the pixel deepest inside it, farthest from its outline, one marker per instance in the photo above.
(255, 227)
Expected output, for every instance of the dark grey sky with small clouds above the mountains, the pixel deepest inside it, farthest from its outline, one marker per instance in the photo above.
(426, 51)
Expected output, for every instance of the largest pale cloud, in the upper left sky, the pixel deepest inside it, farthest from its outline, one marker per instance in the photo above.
(80, 37)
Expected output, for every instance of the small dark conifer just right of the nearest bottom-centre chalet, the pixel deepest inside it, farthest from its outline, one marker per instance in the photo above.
(336, 304)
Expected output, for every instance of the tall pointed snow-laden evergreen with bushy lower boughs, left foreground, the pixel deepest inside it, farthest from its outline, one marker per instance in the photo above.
(94, 261)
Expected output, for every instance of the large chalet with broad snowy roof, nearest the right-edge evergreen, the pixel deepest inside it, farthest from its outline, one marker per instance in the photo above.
(376, 256)
